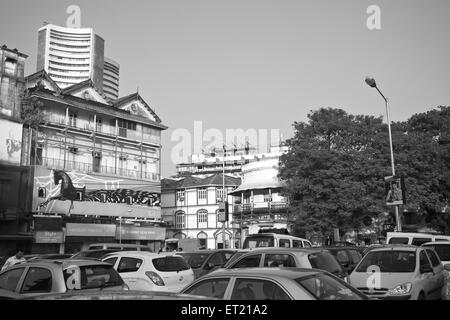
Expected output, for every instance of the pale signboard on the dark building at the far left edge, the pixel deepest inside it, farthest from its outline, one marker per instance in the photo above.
(10, 142)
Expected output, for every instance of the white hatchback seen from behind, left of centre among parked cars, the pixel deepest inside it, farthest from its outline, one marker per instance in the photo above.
(151, 271)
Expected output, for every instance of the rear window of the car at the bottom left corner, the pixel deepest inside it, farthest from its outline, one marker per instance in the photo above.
(91, 277)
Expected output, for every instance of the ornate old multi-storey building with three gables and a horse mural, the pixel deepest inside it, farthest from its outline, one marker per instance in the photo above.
(96, 167)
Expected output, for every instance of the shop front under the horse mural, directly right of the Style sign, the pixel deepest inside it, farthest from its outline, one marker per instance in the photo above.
(80, 235)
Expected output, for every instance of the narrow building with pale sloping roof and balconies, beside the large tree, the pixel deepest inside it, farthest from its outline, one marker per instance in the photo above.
(258, 202)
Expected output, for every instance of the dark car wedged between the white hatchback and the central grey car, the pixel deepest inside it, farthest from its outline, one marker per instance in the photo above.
(204, 261)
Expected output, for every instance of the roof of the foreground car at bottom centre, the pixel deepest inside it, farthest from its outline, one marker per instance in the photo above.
(291, 273)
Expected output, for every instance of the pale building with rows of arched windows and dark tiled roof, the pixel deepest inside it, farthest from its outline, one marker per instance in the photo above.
(190, 207)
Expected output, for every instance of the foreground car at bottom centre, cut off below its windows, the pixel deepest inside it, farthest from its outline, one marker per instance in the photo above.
(273, 284)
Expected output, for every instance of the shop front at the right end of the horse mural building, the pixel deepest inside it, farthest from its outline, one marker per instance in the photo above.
(149, 236)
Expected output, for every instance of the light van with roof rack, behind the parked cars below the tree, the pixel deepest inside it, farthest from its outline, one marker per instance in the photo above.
(274, 240)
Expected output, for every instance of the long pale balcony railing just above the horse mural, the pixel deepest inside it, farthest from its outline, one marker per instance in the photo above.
(54, 163)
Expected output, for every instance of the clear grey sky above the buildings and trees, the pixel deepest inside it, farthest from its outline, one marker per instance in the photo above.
(256, 63)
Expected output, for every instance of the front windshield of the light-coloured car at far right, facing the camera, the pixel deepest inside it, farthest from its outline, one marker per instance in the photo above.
(389, 261)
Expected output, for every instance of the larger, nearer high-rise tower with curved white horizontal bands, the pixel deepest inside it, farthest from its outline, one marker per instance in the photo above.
(71, 55)
